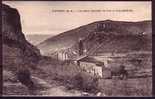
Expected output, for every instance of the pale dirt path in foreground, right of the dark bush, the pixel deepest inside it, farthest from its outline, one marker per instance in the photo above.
(43, 88)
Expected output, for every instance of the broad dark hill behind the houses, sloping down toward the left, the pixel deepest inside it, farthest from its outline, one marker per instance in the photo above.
(110, 33)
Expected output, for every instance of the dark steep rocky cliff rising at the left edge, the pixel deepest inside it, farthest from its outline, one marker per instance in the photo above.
(17, 52)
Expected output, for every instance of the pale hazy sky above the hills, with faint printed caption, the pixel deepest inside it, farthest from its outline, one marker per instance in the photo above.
(39, 17)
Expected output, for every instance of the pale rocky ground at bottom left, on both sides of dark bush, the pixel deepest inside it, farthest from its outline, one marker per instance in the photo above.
(42, 88)
